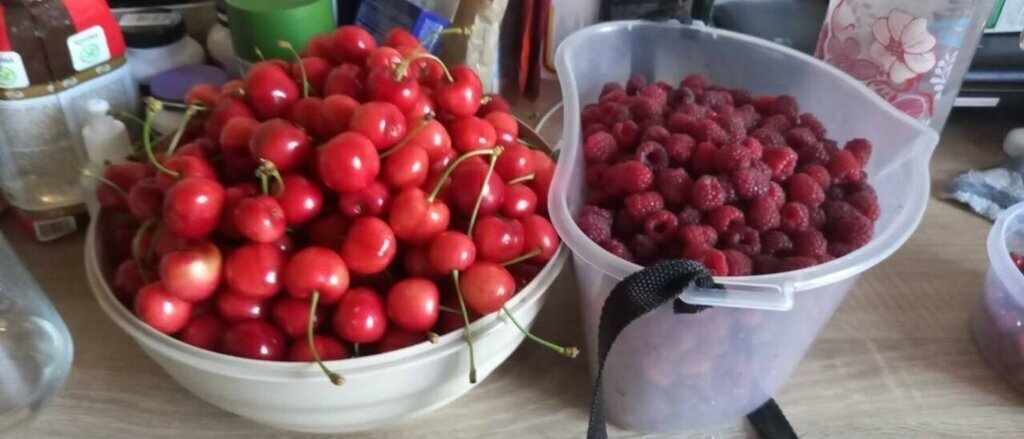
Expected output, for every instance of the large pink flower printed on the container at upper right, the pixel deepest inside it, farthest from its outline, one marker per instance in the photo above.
(903, 47)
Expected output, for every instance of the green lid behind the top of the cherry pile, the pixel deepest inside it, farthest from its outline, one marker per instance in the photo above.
(263, 23)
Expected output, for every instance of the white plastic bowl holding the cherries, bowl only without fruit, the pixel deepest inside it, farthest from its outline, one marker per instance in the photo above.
(380, 390)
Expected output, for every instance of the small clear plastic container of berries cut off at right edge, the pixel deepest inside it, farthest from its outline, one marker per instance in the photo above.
(998, 324)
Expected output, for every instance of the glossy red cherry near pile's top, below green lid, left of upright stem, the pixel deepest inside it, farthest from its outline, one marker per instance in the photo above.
(270, 92)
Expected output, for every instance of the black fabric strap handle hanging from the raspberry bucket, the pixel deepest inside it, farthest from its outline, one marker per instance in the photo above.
(642, 293)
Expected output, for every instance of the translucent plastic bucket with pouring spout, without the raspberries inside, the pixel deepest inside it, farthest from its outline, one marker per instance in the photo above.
(670, 373)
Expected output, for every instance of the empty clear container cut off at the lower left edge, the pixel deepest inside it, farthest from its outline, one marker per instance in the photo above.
(35, 346)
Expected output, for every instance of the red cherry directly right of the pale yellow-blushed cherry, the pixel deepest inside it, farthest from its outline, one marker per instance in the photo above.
(255, 271)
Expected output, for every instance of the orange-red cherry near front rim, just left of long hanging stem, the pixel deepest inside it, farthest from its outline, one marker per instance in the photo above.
(413, 304)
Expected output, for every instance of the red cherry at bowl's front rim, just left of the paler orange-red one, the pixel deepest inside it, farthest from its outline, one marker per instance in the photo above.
(360, 317)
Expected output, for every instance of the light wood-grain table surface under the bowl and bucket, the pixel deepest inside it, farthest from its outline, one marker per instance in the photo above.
(897, 361)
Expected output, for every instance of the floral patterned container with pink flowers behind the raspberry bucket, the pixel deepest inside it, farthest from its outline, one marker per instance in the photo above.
(913, 53)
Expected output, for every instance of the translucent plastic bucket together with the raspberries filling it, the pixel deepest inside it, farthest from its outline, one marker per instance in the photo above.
(736, 167)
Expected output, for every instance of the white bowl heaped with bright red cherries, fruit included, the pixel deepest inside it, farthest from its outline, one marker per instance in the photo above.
(333, 244)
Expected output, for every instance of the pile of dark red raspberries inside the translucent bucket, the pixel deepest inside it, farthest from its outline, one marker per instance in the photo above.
(745, 185)
